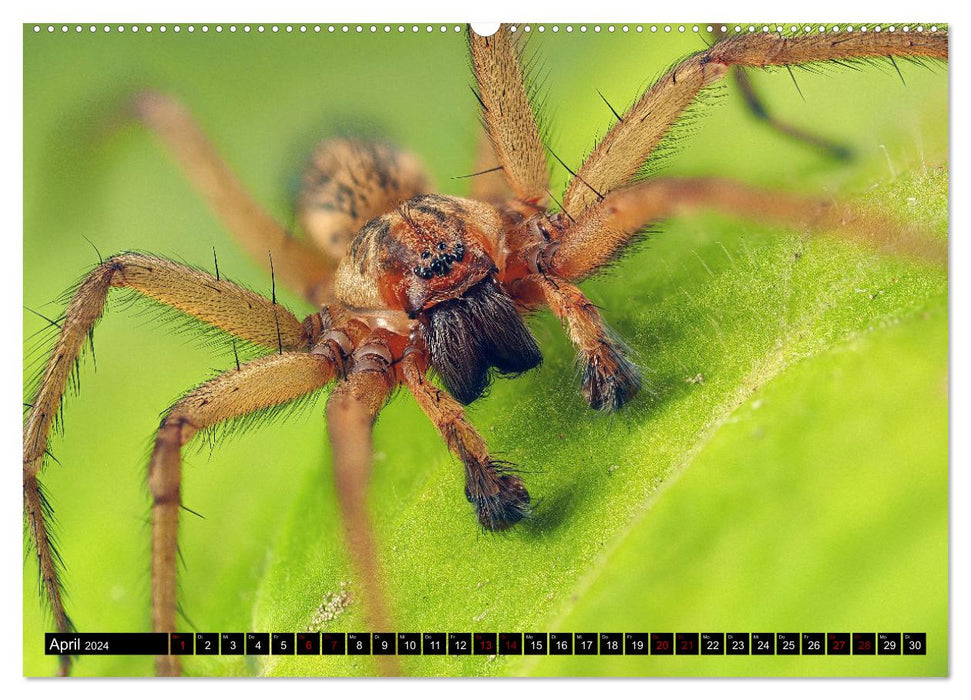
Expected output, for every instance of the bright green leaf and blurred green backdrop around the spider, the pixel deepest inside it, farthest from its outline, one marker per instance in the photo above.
(801, 485)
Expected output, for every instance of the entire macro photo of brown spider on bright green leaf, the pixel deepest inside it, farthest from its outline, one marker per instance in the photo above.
(572, 328)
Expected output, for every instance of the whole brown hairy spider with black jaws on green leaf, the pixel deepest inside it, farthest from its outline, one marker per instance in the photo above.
(409, 282)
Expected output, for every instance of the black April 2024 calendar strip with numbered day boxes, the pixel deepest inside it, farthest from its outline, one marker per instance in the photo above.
(635, 644)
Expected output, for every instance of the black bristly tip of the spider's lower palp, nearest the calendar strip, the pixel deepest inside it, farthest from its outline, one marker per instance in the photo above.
(500, 497)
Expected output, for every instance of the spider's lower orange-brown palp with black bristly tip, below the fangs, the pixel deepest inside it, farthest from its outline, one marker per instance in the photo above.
(499, 496)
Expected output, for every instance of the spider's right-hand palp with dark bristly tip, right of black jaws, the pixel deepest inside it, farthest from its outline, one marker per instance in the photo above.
(609, 379)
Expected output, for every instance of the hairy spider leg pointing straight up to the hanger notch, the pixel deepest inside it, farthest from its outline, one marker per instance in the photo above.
(508, 116)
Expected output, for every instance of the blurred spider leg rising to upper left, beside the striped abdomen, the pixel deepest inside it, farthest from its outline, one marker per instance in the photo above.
(300, 265)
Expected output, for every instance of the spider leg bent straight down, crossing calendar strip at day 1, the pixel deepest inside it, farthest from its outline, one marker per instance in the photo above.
(262, 383)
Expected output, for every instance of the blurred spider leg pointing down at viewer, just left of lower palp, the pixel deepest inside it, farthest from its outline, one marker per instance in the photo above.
(352, 408)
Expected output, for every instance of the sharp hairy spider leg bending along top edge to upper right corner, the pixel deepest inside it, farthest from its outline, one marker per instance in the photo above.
(617, 158)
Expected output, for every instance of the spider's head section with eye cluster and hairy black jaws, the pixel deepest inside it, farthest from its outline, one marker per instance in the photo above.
(430, 266)
